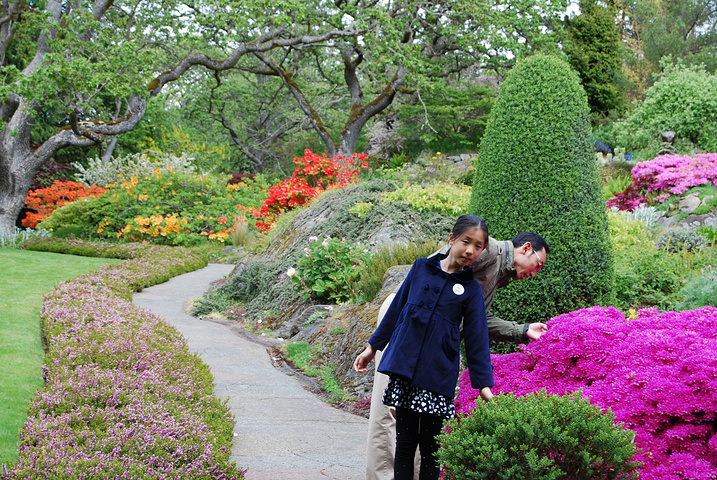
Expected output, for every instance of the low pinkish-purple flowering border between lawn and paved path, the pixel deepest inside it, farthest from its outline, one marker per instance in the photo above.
(124, 397)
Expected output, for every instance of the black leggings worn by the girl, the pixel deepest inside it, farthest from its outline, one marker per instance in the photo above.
(412, 430)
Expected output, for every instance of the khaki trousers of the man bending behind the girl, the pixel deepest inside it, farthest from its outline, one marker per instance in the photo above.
(381, 446)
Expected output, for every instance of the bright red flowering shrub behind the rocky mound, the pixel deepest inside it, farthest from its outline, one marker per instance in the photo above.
(312, 175)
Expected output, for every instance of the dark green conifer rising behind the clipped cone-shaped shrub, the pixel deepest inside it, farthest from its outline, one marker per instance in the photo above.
(592, 46)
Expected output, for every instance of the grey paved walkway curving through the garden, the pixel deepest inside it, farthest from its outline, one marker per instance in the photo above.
(282, 432)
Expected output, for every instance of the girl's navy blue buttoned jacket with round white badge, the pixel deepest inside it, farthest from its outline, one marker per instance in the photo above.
(421, 328)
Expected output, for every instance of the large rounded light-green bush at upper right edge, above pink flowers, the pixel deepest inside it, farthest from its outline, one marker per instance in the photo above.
(682, 99)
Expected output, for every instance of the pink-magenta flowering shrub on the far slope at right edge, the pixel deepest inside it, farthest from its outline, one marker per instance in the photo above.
(664, 176)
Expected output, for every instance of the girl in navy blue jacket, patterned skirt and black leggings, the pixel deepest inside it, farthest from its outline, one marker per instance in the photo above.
(422, 331)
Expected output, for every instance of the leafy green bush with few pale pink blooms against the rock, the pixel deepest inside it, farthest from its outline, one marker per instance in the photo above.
(329, 268)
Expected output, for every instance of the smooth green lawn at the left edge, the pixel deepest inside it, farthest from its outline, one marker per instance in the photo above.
(26, 277)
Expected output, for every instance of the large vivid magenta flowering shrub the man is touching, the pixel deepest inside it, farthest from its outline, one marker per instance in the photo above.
(657, 373)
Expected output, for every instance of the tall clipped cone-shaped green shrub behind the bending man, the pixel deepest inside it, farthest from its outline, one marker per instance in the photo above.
(536, 171)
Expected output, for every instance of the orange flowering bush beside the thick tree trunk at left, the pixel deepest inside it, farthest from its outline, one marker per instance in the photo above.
(42, 202)
